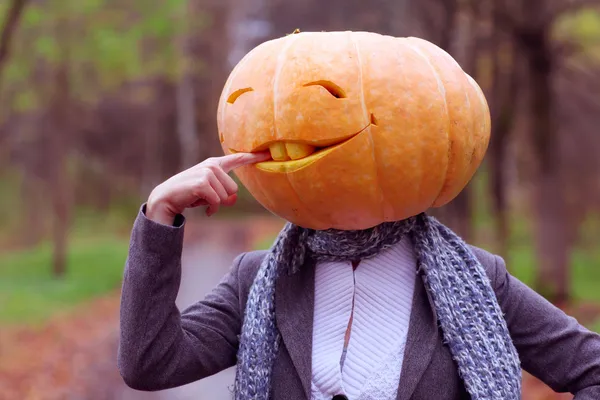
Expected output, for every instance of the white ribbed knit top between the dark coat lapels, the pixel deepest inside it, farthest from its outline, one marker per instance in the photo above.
(381, 289)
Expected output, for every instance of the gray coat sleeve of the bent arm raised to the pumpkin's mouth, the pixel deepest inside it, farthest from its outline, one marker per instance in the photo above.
(160, 347)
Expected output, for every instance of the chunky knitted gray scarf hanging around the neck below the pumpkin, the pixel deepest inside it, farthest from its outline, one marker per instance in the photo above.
(471, 320)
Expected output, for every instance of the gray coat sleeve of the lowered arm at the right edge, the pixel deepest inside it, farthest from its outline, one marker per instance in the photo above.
(552, 346)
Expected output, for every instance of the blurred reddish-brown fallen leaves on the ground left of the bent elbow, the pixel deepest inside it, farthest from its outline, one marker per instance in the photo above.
(71, 357)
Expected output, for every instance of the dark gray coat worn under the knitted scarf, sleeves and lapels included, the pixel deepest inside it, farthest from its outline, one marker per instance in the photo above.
(162, 348)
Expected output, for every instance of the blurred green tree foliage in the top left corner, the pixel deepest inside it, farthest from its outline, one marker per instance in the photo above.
(104, 43)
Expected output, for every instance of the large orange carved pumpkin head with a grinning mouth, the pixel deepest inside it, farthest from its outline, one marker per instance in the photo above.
(397, 125)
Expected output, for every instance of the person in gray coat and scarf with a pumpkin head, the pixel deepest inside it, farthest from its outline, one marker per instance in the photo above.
(362, 295)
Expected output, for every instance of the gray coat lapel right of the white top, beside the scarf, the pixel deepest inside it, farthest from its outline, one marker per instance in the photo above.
(421, 341)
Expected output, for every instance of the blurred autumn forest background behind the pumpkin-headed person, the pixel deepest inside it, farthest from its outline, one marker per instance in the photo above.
(101, 100)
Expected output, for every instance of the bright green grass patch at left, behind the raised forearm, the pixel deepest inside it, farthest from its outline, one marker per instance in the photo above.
(28, 292)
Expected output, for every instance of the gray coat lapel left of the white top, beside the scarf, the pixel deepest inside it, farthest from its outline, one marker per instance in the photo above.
(294, 309)
